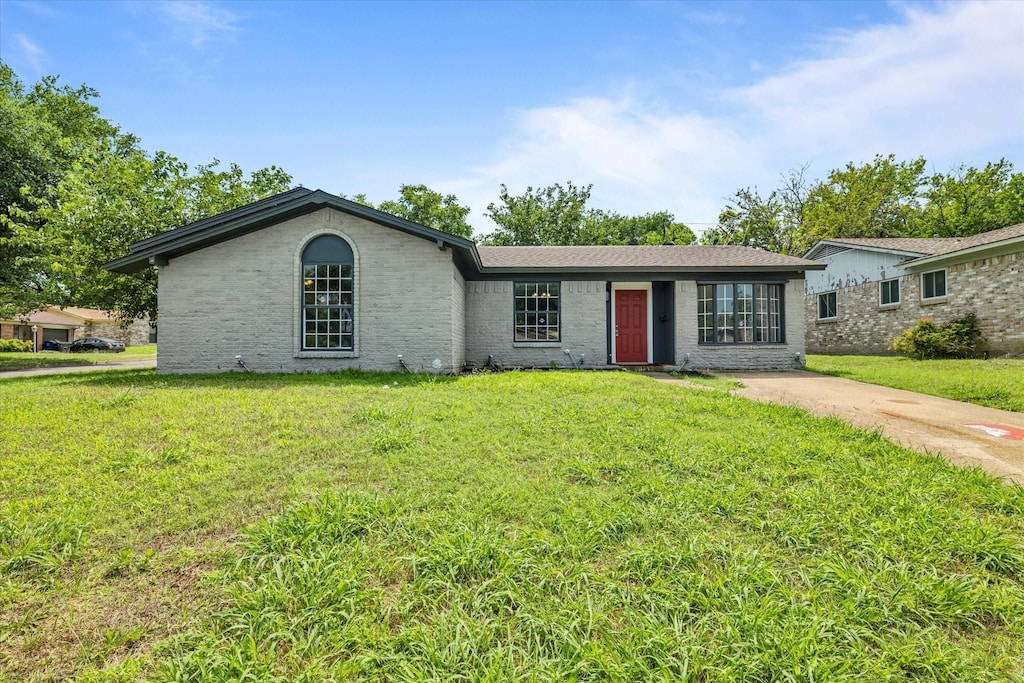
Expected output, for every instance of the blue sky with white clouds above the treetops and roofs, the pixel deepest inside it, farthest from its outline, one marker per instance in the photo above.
(662, 106)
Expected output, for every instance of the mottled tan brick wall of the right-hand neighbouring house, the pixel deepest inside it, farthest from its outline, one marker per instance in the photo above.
(993, 288)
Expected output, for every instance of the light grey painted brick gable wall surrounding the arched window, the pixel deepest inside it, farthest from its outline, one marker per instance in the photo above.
(241, 297)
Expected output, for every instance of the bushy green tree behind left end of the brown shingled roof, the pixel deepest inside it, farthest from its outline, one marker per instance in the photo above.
(552, 216)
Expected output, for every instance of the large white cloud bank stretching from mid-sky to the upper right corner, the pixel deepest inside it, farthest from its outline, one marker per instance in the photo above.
(943, 84)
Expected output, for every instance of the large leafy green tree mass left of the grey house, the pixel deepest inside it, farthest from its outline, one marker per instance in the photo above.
(76, 192)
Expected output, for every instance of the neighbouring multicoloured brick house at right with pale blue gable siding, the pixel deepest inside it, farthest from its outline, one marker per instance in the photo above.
(873, 290)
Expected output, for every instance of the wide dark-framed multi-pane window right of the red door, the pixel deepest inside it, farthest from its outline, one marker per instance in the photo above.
(740, 314)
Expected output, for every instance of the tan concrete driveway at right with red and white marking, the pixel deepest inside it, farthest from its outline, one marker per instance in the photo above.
(965, 434)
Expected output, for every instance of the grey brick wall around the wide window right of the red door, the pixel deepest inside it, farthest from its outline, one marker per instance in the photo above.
(693, 356)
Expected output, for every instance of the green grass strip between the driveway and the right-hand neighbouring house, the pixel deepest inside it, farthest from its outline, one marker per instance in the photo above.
(997, 383)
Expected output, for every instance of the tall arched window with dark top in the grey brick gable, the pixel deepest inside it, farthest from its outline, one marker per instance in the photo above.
(327, 295)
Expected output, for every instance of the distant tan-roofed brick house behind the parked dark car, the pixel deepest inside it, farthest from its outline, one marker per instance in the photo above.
(71, 323)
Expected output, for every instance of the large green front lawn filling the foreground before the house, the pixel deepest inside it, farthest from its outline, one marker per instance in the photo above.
(541, 527)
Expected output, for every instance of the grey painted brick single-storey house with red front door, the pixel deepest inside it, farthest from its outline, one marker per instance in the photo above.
(310, 282)
